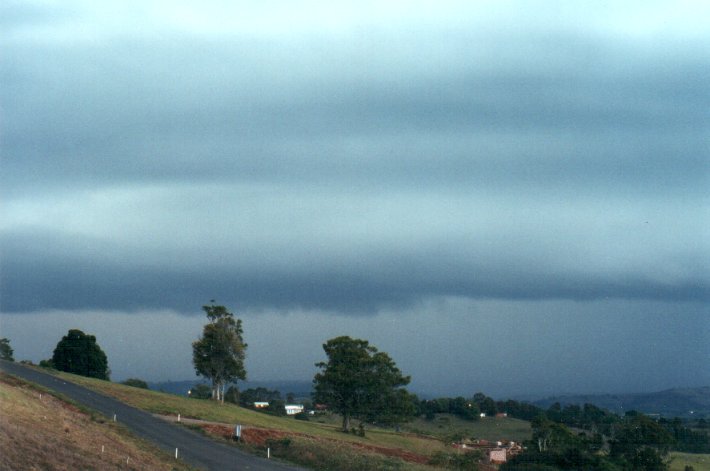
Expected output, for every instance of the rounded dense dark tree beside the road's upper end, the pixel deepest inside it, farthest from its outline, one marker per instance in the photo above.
(79, 353)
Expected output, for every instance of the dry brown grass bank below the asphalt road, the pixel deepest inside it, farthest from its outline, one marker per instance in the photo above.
(48, 434)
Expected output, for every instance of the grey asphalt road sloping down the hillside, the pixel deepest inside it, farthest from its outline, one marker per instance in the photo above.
(193, 448)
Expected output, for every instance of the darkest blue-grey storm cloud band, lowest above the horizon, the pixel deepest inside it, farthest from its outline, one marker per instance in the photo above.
(42, 272)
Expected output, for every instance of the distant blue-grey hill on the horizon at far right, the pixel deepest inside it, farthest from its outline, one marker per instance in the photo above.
(686, 402)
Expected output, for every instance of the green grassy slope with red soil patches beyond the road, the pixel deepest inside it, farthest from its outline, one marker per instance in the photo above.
(317, 443)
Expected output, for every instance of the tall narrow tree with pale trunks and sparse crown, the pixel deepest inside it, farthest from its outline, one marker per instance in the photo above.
(219, 354)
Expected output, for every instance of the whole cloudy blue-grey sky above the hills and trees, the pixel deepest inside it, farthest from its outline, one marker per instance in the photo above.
(507, 197)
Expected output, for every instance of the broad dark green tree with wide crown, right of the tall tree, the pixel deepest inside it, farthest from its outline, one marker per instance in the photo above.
(360, 382)
